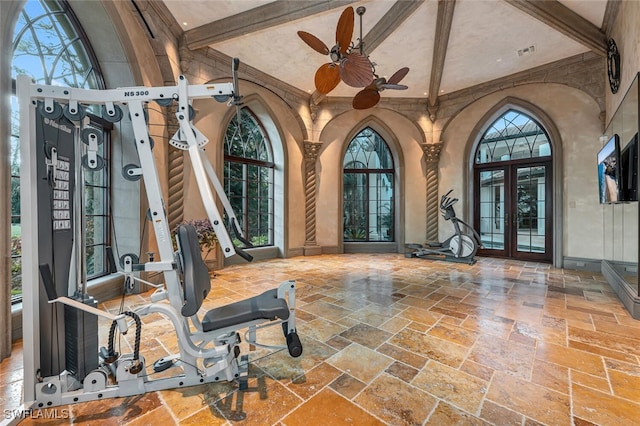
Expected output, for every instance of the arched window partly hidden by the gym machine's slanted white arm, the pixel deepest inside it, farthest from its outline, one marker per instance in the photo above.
(248, 177)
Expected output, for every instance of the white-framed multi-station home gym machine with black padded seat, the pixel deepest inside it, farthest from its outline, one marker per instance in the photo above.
(62, 362)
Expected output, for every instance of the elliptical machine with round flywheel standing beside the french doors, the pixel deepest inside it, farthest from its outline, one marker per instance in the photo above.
(460, 247)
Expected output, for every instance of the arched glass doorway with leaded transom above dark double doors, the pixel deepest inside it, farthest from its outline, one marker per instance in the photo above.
(513, 189)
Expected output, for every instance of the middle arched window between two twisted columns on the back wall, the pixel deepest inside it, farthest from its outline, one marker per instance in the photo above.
(368, 189)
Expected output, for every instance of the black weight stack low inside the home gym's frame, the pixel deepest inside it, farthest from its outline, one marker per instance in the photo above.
(81, 338)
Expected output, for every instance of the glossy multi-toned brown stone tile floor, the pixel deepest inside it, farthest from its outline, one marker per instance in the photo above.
(391, 340)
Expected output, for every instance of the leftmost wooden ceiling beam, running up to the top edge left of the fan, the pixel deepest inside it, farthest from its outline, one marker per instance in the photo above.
(262, 17)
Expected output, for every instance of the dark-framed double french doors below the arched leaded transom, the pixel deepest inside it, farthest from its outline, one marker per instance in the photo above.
(513, 210)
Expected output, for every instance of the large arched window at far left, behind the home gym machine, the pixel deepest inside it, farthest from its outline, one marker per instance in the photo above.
(49, 45)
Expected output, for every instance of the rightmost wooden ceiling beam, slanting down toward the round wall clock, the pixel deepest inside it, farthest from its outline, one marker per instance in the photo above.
(562, 19)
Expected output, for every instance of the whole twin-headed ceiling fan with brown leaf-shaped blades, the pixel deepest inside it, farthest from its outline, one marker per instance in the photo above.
(350, 64)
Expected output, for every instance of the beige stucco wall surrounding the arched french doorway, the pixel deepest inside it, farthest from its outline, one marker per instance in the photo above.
(576, 117)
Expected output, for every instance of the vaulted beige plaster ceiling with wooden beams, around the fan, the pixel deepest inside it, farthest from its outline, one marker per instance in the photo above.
(449, 45)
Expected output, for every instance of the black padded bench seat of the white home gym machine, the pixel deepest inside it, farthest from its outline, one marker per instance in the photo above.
(264, 306)
